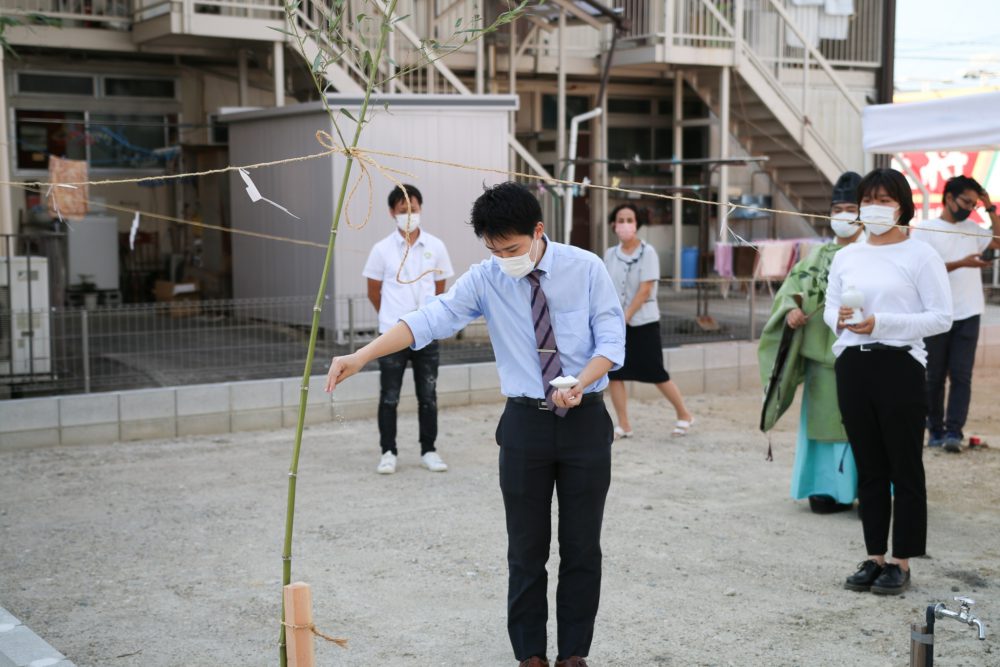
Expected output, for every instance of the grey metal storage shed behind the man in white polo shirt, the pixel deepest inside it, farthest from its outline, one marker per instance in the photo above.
(462, 129)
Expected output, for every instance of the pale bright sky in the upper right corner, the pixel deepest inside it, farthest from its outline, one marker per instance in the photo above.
(940, 42)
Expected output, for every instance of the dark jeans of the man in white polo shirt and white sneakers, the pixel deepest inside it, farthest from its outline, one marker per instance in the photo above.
(392, 367)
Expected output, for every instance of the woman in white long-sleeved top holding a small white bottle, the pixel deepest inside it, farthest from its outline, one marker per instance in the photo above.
(881, 373)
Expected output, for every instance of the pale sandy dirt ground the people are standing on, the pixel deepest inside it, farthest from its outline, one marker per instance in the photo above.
(167, 553)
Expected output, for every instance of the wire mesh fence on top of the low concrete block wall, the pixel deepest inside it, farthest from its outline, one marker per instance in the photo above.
(134, 346)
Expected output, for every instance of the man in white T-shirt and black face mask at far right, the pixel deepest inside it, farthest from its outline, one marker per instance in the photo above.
(951, 355)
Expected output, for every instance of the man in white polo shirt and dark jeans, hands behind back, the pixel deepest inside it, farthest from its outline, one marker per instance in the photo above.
(395, 288)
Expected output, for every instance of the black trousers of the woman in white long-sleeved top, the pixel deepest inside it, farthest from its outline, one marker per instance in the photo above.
(883, 401)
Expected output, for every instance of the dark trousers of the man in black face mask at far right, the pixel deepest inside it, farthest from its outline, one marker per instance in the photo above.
(951, 356)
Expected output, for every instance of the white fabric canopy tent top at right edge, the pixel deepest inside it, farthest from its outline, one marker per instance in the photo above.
(966, 123)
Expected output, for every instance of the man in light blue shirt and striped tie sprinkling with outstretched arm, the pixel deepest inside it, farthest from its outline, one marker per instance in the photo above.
(551, 311)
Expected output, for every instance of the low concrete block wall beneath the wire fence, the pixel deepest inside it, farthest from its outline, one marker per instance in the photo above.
(271, 404)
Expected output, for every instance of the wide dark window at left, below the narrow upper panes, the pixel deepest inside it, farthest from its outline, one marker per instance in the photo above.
(105, 141)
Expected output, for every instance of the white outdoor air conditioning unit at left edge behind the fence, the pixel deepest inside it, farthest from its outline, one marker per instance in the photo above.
(25, 327)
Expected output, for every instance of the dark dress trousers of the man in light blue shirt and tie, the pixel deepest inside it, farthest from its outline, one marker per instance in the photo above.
(539, 451)
